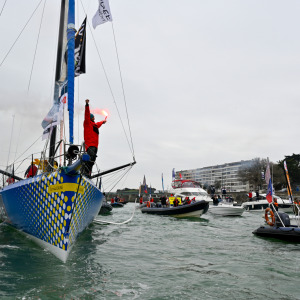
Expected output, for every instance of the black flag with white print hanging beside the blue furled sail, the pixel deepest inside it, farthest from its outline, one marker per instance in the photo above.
(80, 41)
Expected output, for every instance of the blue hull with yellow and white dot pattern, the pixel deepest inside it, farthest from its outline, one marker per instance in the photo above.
(52, 209)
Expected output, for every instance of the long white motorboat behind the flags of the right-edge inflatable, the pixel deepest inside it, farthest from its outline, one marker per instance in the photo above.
(262, 203)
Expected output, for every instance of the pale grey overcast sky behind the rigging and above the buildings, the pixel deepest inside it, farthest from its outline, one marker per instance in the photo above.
(206, 82)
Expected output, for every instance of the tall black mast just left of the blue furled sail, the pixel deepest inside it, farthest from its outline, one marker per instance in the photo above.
(57, 77)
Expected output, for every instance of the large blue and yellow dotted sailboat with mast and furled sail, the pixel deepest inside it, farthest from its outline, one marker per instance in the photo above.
(54, 206)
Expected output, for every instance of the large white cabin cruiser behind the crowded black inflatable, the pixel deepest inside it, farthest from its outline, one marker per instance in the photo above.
(189, 188)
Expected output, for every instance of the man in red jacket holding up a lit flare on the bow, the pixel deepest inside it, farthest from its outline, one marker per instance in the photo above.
(91, 137)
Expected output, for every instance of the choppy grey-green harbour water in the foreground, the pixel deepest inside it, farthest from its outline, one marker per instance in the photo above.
(155, 257)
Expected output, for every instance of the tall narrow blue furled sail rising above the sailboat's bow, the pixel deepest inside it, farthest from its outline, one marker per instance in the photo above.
(71, 66)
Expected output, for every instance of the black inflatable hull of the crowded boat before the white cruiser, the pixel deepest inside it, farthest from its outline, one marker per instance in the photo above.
(194, 209)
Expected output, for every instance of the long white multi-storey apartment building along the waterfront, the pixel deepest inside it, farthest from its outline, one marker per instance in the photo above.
(225, 175)
